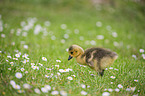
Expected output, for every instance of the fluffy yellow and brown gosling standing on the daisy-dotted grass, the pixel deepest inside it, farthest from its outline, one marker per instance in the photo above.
(96, 58)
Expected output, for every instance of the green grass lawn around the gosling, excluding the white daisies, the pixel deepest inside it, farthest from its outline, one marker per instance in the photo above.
(125, 18)
